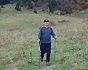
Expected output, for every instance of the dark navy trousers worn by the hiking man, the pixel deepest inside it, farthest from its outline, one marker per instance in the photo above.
(45, 48)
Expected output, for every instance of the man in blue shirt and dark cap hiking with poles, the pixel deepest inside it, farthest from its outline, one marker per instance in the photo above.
(45, 37)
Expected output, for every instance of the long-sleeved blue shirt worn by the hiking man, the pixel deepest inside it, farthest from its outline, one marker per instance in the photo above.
(45, 34)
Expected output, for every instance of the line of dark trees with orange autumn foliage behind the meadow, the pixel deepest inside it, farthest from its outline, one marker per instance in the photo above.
(63, 6)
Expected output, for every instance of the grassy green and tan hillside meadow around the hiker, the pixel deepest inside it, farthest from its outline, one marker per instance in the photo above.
(20, 30)
